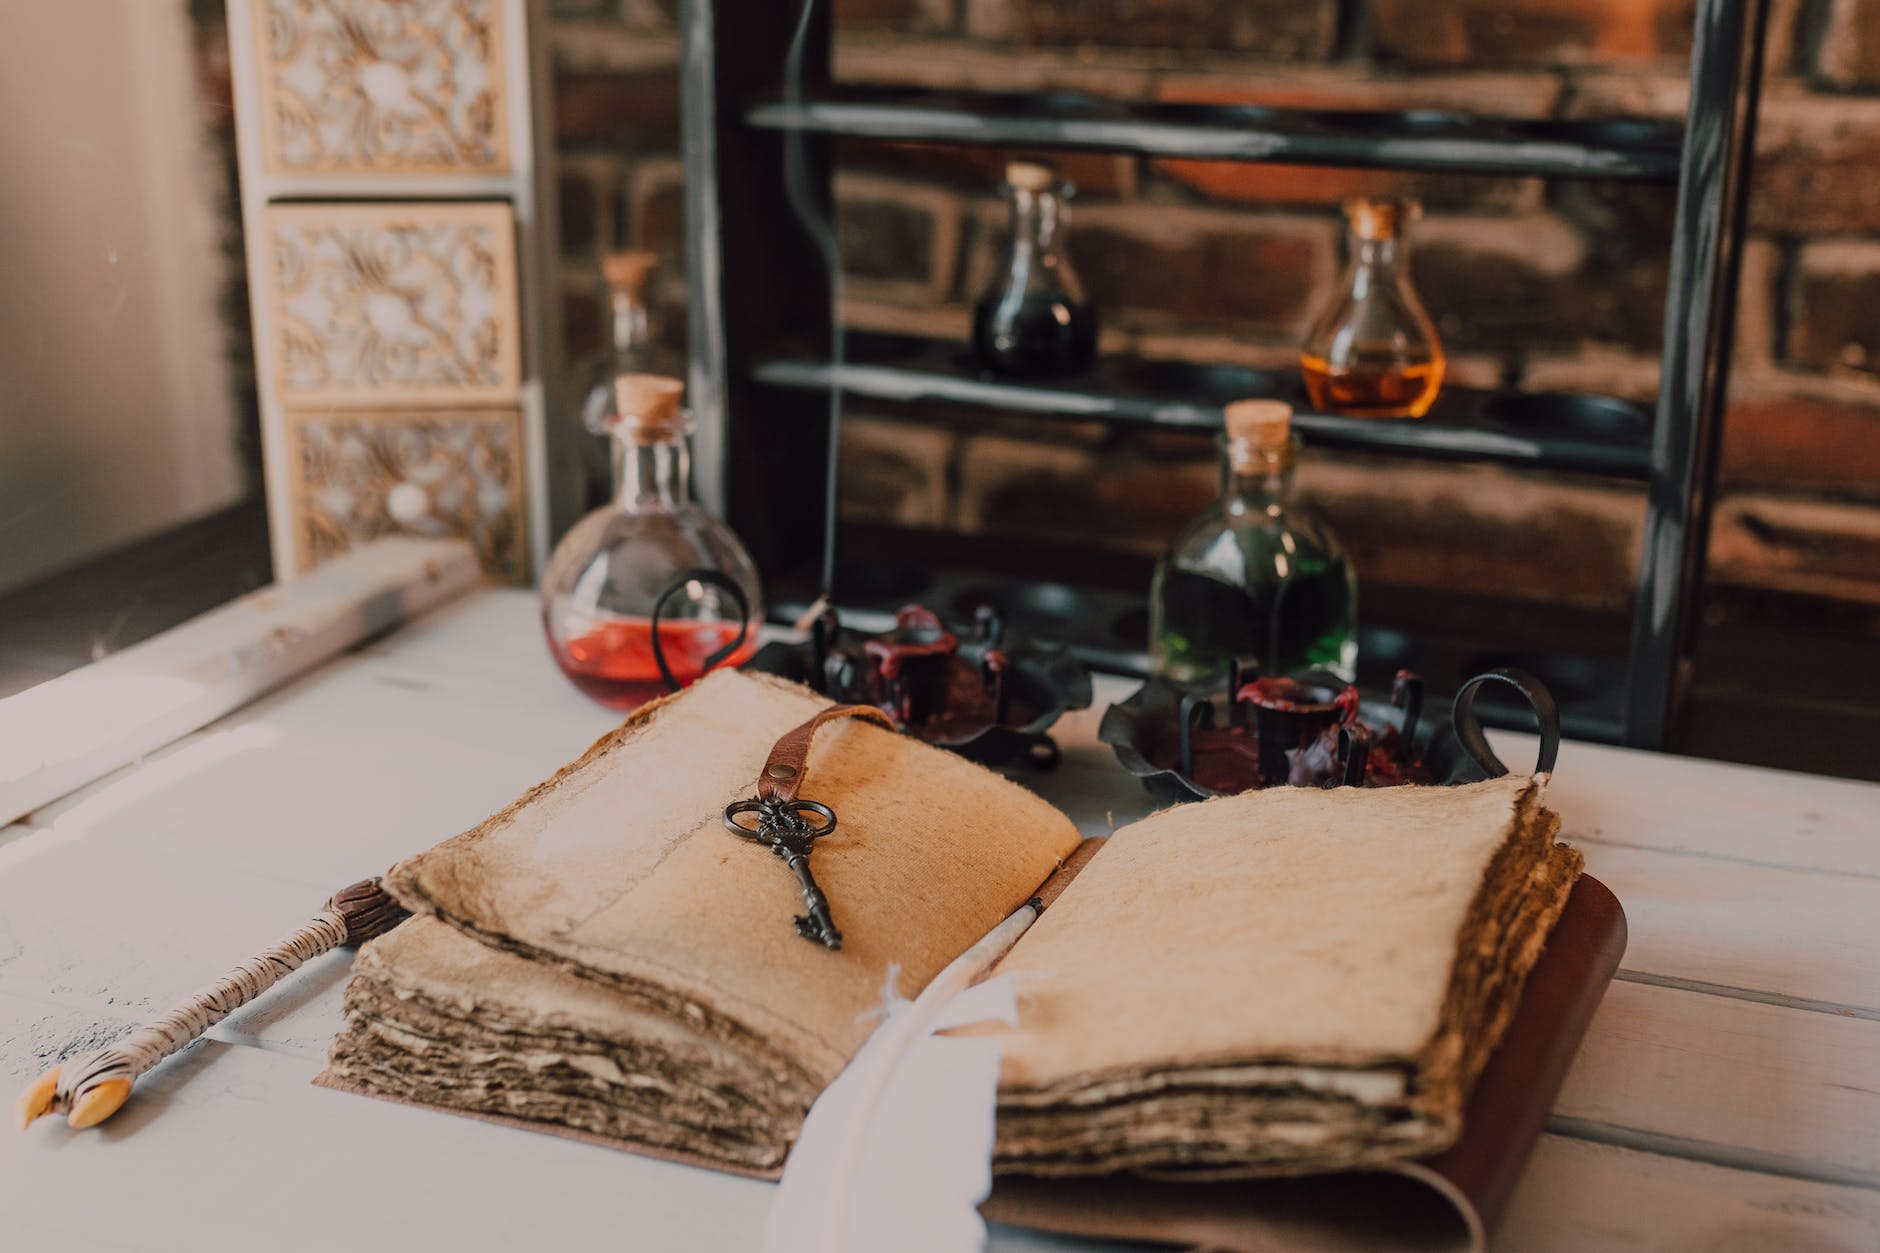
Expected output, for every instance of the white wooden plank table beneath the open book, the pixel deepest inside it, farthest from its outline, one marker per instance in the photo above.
(1729, 1094)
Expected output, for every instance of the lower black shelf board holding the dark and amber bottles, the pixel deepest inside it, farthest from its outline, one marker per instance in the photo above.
(1586, 434)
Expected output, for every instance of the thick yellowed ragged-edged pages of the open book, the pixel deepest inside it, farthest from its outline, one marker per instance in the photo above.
(1276, 983)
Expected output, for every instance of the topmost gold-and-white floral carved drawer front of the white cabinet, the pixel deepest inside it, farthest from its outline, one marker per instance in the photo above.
(383, 86)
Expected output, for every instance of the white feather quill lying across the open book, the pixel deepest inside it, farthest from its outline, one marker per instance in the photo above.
(898, 1154)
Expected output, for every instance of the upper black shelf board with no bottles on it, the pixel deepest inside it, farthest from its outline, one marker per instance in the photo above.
(1422, 140)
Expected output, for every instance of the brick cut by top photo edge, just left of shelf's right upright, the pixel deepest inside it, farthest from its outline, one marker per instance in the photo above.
(1531, 33)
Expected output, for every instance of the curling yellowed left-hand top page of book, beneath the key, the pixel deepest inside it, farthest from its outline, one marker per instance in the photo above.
(619, 870)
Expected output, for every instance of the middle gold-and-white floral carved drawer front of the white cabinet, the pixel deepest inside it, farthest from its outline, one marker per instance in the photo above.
(413, 304)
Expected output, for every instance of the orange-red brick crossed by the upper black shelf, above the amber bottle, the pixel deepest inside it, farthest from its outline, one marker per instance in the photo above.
(1324, 185)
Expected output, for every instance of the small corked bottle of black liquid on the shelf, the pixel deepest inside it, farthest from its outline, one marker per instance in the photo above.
(1035, 321)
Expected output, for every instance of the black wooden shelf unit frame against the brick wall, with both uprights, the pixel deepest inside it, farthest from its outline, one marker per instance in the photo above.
(760, 313)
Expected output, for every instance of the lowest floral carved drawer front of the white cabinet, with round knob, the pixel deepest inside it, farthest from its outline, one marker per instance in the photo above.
(360, 475)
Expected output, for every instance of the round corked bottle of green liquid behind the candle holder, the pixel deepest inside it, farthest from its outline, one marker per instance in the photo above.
(1259, 575)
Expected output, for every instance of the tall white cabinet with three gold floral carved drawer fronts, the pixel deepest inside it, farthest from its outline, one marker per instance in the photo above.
(398, 227)
